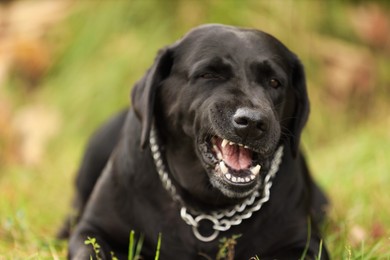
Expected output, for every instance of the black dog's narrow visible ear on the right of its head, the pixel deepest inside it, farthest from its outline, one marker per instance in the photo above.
(302, 105)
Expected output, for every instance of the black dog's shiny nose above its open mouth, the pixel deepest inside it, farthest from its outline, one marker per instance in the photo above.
(250, 123)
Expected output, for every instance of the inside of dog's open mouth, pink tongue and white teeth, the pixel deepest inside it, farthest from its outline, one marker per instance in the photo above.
(236, 162)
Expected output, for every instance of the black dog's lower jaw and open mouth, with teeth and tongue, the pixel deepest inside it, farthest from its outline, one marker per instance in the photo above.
(234, 169)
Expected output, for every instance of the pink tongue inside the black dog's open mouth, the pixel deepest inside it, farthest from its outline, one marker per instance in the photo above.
(237, 157)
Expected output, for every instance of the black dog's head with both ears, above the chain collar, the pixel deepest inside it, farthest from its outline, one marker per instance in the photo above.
(223, 99)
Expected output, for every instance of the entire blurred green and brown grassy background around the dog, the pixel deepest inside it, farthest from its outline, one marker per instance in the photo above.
(66, 66)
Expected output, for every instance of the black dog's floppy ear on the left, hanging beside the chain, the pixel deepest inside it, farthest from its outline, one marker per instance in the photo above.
(144, 91)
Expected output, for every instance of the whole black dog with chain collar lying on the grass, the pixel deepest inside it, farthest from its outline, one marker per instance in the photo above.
(216, 121)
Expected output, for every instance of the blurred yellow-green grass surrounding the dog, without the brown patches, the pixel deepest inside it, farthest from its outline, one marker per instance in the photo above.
(101, 49)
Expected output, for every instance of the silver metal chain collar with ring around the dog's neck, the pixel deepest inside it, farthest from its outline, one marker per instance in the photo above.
(222, 220)
